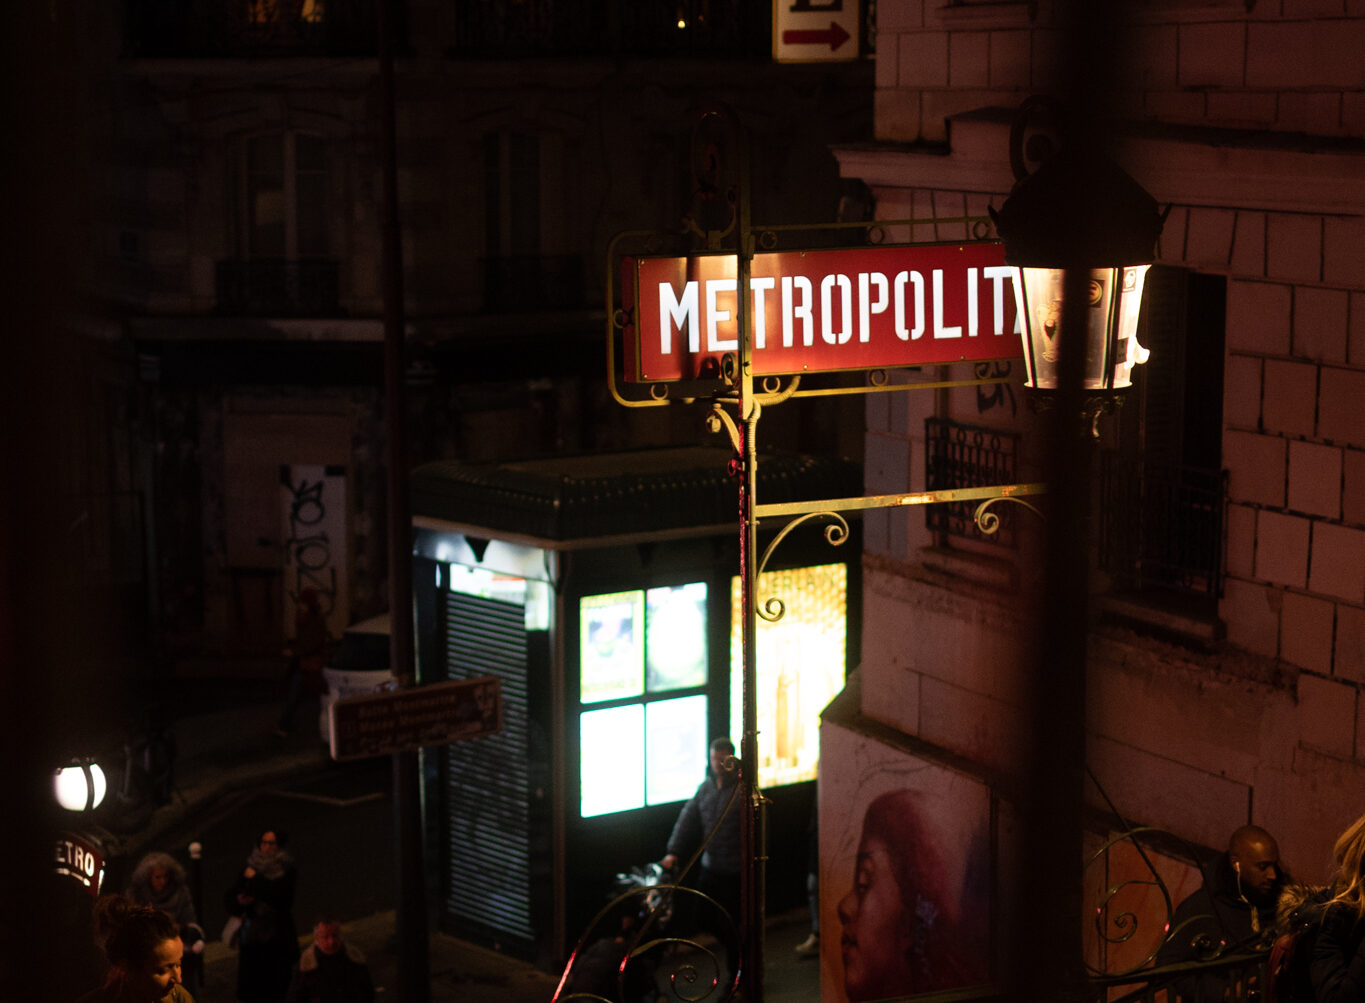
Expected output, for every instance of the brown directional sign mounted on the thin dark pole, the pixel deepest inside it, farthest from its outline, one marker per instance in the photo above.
(406, 720)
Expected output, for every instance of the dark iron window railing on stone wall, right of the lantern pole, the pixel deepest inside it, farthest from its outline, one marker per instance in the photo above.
(1162, 526)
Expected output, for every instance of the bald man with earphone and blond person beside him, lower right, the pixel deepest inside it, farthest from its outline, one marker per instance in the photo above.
(1250, 903)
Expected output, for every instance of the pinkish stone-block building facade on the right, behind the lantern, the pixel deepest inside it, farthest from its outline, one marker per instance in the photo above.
(1225, 687)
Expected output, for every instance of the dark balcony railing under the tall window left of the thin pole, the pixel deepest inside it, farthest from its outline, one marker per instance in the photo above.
(274, 287)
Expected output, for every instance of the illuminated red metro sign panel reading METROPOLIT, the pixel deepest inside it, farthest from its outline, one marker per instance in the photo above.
(821, 312)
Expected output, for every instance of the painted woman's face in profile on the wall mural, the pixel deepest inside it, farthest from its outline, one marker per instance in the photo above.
(877, 930)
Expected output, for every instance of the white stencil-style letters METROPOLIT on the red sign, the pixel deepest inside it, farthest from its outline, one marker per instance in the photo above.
(837, 309)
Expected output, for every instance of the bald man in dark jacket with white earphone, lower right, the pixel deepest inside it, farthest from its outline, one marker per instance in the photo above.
(1233, 911)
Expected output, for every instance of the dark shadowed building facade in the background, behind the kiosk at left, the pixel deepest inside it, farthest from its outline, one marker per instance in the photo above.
(245, 220)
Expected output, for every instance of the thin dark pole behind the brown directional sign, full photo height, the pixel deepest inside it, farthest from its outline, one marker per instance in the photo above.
(412, 926)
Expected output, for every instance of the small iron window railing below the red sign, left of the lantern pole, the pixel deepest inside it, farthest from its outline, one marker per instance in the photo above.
(962, 455)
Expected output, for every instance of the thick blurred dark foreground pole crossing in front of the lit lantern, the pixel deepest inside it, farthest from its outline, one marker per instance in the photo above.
(1049, 929)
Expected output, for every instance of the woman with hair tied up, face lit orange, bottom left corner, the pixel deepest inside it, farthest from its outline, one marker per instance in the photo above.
(144, 950)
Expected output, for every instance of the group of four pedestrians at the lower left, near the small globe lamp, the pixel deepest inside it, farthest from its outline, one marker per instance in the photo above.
(148, 933)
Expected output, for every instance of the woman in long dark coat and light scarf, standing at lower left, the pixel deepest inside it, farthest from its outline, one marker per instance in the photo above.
(263, 899)
